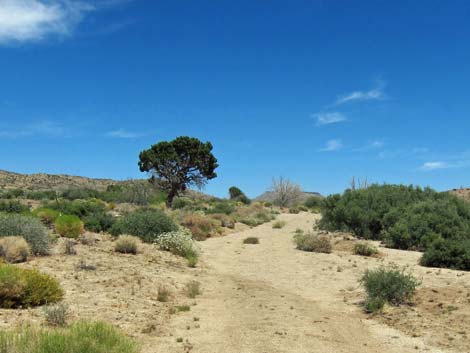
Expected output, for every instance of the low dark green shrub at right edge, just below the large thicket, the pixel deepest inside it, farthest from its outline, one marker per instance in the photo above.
(454, 254)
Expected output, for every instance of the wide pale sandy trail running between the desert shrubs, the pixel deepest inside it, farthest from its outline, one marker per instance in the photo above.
(270, 298)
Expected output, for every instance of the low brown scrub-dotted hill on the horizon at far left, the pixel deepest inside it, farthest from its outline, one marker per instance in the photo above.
(40, 181)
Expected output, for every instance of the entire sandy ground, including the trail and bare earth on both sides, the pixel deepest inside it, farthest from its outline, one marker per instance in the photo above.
(263, 298)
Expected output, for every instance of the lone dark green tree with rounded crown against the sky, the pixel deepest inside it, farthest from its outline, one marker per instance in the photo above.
(178, 164)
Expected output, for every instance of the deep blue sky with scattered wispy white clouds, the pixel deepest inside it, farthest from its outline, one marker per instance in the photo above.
(314, 91)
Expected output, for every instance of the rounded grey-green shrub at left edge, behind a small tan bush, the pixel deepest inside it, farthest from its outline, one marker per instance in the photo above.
(30, 228)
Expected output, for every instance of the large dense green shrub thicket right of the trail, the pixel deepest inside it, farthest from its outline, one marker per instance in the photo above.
(405, 217)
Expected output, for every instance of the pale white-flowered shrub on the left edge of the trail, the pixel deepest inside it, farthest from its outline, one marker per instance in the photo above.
(180, 243)
